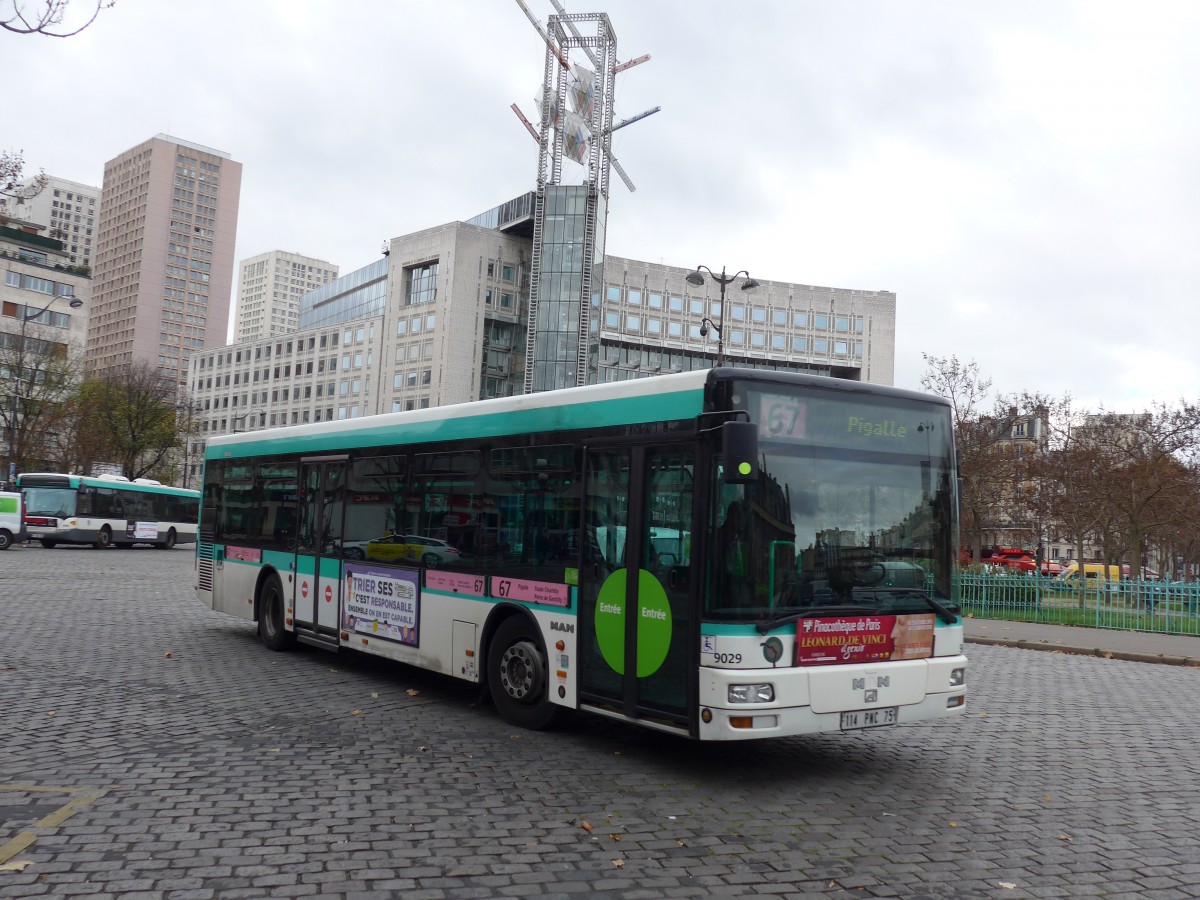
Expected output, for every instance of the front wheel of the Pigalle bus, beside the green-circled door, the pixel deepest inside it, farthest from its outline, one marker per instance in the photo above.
(518, 675)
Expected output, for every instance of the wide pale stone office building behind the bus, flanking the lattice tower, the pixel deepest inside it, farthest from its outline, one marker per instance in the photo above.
(443, 319)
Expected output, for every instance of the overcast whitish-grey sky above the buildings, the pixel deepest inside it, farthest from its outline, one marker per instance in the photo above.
(1024, 175)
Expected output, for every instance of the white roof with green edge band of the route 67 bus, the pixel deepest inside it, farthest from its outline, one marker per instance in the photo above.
(639, 400)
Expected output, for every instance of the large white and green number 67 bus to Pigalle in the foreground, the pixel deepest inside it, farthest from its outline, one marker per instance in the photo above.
(723, 555)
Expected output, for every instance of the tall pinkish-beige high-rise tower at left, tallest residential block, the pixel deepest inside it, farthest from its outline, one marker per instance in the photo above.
(164, 271)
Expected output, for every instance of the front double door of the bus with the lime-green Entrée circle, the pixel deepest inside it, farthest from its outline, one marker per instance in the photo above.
(635, 628)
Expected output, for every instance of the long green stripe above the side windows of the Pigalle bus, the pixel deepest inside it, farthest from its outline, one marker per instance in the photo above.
(597, 415)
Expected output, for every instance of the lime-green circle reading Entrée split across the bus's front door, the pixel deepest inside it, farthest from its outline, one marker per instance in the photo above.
(653, 622)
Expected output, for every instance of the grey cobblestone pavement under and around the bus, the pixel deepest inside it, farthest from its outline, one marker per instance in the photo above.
(151, 748)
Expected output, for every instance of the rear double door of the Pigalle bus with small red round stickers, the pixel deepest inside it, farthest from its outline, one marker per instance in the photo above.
(319, 567)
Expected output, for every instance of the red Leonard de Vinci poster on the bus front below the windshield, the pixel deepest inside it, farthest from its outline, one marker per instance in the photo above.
(863, 639)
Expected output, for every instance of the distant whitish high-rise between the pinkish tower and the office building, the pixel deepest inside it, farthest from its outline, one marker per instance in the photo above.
(269, 291)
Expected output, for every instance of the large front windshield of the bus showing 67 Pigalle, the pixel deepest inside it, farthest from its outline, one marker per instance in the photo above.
(853, 512)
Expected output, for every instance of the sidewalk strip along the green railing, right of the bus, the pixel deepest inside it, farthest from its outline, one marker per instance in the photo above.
(1111, 644)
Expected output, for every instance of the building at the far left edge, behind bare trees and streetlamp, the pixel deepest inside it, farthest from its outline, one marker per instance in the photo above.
(44, 325)
